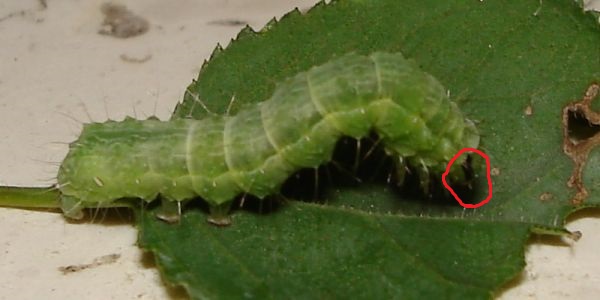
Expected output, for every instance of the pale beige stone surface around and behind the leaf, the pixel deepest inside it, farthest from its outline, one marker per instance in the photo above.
(56, 72)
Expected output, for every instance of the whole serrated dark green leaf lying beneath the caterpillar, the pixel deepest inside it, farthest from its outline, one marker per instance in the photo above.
(497, 58)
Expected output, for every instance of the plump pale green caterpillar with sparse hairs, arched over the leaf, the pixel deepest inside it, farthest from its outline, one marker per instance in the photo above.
(255, 151)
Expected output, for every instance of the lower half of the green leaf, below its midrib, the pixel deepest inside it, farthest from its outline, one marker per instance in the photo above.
(313, 251)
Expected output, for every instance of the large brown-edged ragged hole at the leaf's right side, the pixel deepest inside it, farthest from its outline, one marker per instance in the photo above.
(581, 133)
